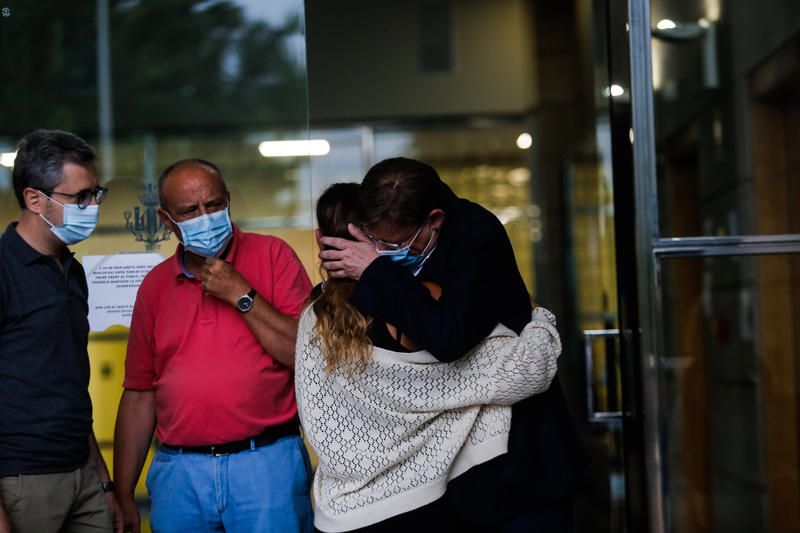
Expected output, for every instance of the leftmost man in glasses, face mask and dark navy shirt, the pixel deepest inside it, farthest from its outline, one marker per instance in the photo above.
(52, 475)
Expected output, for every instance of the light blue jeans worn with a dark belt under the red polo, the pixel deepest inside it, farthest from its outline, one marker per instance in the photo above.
(264, 489)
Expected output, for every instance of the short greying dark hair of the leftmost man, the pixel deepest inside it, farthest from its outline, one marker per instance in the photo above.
(41, 156)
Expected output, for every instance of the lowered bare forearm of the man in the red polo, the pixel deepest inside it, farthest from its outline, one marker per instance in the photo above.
(133, 434)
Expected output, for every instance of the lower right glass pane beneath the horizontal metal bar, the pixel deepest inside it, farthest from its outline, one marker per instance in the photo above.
(730, 383)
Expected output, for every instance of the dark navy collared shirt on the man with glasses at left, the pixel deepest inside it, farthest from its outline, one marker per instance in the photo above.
(45, 408)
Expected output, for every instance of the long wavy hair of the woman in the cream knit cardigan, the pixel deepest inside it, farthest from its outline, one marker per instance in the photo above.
(342, 328)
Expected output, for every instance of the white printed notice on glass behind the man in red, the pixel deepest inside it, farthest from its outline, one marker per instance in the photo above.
(113, 281)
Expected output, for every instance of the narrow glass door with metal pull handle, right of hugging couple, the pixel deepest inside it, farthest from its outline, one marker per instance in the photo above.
(598, 185)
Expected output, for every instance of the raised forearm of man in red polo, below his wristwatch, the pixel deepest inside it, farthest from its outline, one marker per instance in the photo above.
(275, 331)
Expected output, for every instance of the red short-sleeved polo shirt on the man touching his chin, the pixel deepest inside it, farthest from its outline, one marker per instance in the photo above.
(213, 381)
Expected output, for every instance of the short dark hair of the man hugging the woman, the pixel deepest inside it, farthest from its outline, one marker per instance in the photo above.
(401, 190)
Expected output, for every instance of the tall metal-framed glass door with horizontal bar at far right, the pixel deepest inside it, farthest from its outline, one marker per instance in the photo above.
(715, 119)
